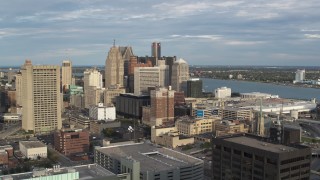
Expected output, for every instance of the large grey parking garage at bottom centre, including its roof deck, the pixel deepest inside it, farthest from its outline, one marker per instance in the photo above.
(148, 161)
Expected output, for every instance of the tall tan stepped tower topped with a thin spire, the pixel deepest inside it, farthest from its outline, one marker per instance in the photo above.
(114, 68)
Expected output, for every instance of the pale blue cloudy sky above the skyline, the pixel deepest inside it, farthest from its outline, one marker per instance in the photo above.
(203, 32)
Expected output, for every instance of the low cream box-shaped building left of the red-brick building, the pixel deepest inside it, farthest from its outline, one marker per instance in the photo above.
(33, 149)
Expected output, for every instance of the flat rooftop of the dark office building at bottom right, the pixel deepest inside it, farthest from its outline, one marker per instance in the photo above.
(254, 142)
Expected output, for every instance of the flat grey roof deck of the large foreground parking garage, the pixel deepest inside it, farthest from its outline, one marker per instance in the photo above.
(152, 157)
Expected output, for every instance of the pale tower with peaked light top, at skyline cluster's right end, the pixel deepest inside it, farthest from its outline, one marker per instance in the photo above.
(180, 75)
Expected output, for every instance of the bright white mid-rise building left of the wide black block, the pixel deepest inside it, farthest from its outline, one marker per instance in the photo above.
(101, 112)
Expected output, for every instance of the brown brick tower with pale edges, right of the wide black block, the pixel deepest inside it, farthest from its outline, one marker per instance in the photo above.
(162, 106)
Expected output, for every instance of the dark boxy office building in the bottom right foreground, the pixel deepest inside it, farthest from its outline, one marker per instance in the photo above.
(245, 156)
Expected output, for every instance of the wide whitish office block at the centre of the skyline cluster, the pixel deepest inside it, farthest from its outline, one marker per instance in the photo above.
(146, 77)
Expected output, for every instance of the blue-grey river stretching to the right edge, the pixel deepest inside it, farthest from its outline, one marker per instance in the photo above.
(209, 85)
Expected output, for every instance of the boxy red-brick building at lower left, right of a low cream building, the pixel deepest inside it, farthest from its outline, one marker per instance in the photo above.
(71, 141)
